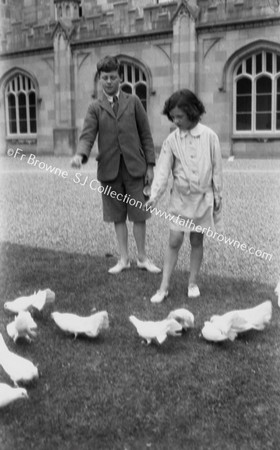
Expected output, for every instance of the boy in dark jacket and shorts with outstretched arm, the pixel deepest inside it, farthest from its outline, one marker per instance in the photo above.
(125, 160)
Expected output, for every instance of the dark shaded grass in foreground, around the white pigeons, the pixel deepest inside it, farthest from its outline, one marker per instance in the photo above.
(114, 392)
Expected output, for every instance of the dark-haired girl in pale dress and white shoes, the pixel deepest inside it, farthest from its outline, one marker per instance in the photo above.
(192, 154)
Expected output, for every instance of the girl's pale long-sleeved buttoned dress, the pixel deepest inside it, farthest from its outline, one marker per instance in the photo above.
(194, 158)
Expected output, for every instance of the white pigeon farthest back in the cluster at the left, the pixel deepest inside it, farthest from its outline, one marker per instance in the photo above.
(37, 300)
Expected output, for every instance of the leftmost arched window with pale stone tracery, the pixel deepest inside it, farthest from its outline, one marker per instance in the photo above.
(20, 99)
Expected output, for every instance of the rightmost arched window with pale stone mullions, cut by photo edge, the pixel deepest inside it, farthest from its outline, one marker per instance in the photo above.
(257, 94)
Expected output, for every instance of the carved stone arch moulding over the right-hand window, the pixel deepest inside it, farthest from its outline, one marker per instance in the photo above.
(239, 55)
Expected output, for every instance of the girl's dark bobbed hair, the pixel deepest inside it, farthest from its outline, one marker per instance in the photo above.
(188, 102)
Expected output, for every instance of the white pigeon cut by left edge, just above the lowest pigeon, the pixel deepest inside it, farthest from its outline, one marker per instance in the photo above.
(18, 368)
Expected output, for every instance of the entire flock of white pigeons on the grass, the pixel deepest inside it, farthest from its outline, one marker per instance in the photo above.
(21, 370)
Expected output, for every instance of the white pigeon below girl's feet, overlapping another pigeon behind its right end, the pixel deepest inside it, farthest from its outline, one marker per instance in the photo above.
(159, 330)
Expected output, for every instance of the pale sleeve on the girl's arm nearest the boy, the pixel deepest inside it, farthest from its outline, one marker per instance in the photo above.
(162, 171)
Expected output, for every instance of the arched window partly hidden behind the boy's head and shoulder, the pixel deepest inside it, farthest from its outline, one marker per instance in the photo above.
(134, 81)
